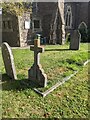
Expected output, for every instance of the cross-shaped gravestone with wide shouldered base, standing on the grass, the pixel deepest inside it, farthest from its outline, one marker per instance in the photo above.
(36, 73)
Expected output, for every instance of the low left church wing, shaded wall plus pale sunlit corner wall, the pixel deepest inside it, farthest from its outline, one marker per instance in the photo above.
(13, 29)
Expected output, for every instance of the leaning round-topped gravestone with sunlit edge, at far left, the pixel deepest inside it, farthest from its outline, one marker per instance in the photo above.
(8, 61)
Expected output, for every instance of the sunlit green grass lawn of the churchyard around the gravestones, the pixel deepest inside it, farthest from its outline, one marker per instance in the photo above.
(67, 101)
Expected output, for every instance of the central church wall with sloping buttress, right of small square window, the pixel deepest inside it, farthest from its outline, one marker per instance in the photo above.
(52, 16)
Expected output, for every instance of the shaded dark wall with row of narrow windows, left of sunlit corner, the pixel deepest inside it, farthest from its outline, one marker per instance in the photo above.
(10, 30)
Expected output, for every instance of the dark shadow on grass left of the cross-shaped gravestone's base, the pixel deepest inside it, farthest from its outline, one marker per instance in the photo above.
(9, 84)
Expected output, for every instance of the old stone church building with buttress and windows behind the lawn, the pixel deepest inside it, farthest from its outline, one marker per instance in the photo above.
(52, 21)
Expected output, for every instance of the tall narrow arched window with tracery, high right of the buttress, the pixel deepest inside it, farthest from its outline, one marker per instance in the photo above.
(68, 17)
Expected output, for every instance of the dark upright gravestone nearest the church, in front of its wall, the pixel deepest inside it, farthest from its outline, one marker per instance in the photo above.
(75, 40)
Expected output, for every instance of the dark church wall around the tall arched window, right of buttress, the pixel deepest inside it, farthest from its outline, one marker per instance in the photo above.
(79, 14)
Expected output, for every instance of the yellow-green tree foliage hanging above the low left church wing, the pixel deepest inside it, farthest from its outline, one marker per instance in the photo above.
(17, 8)
